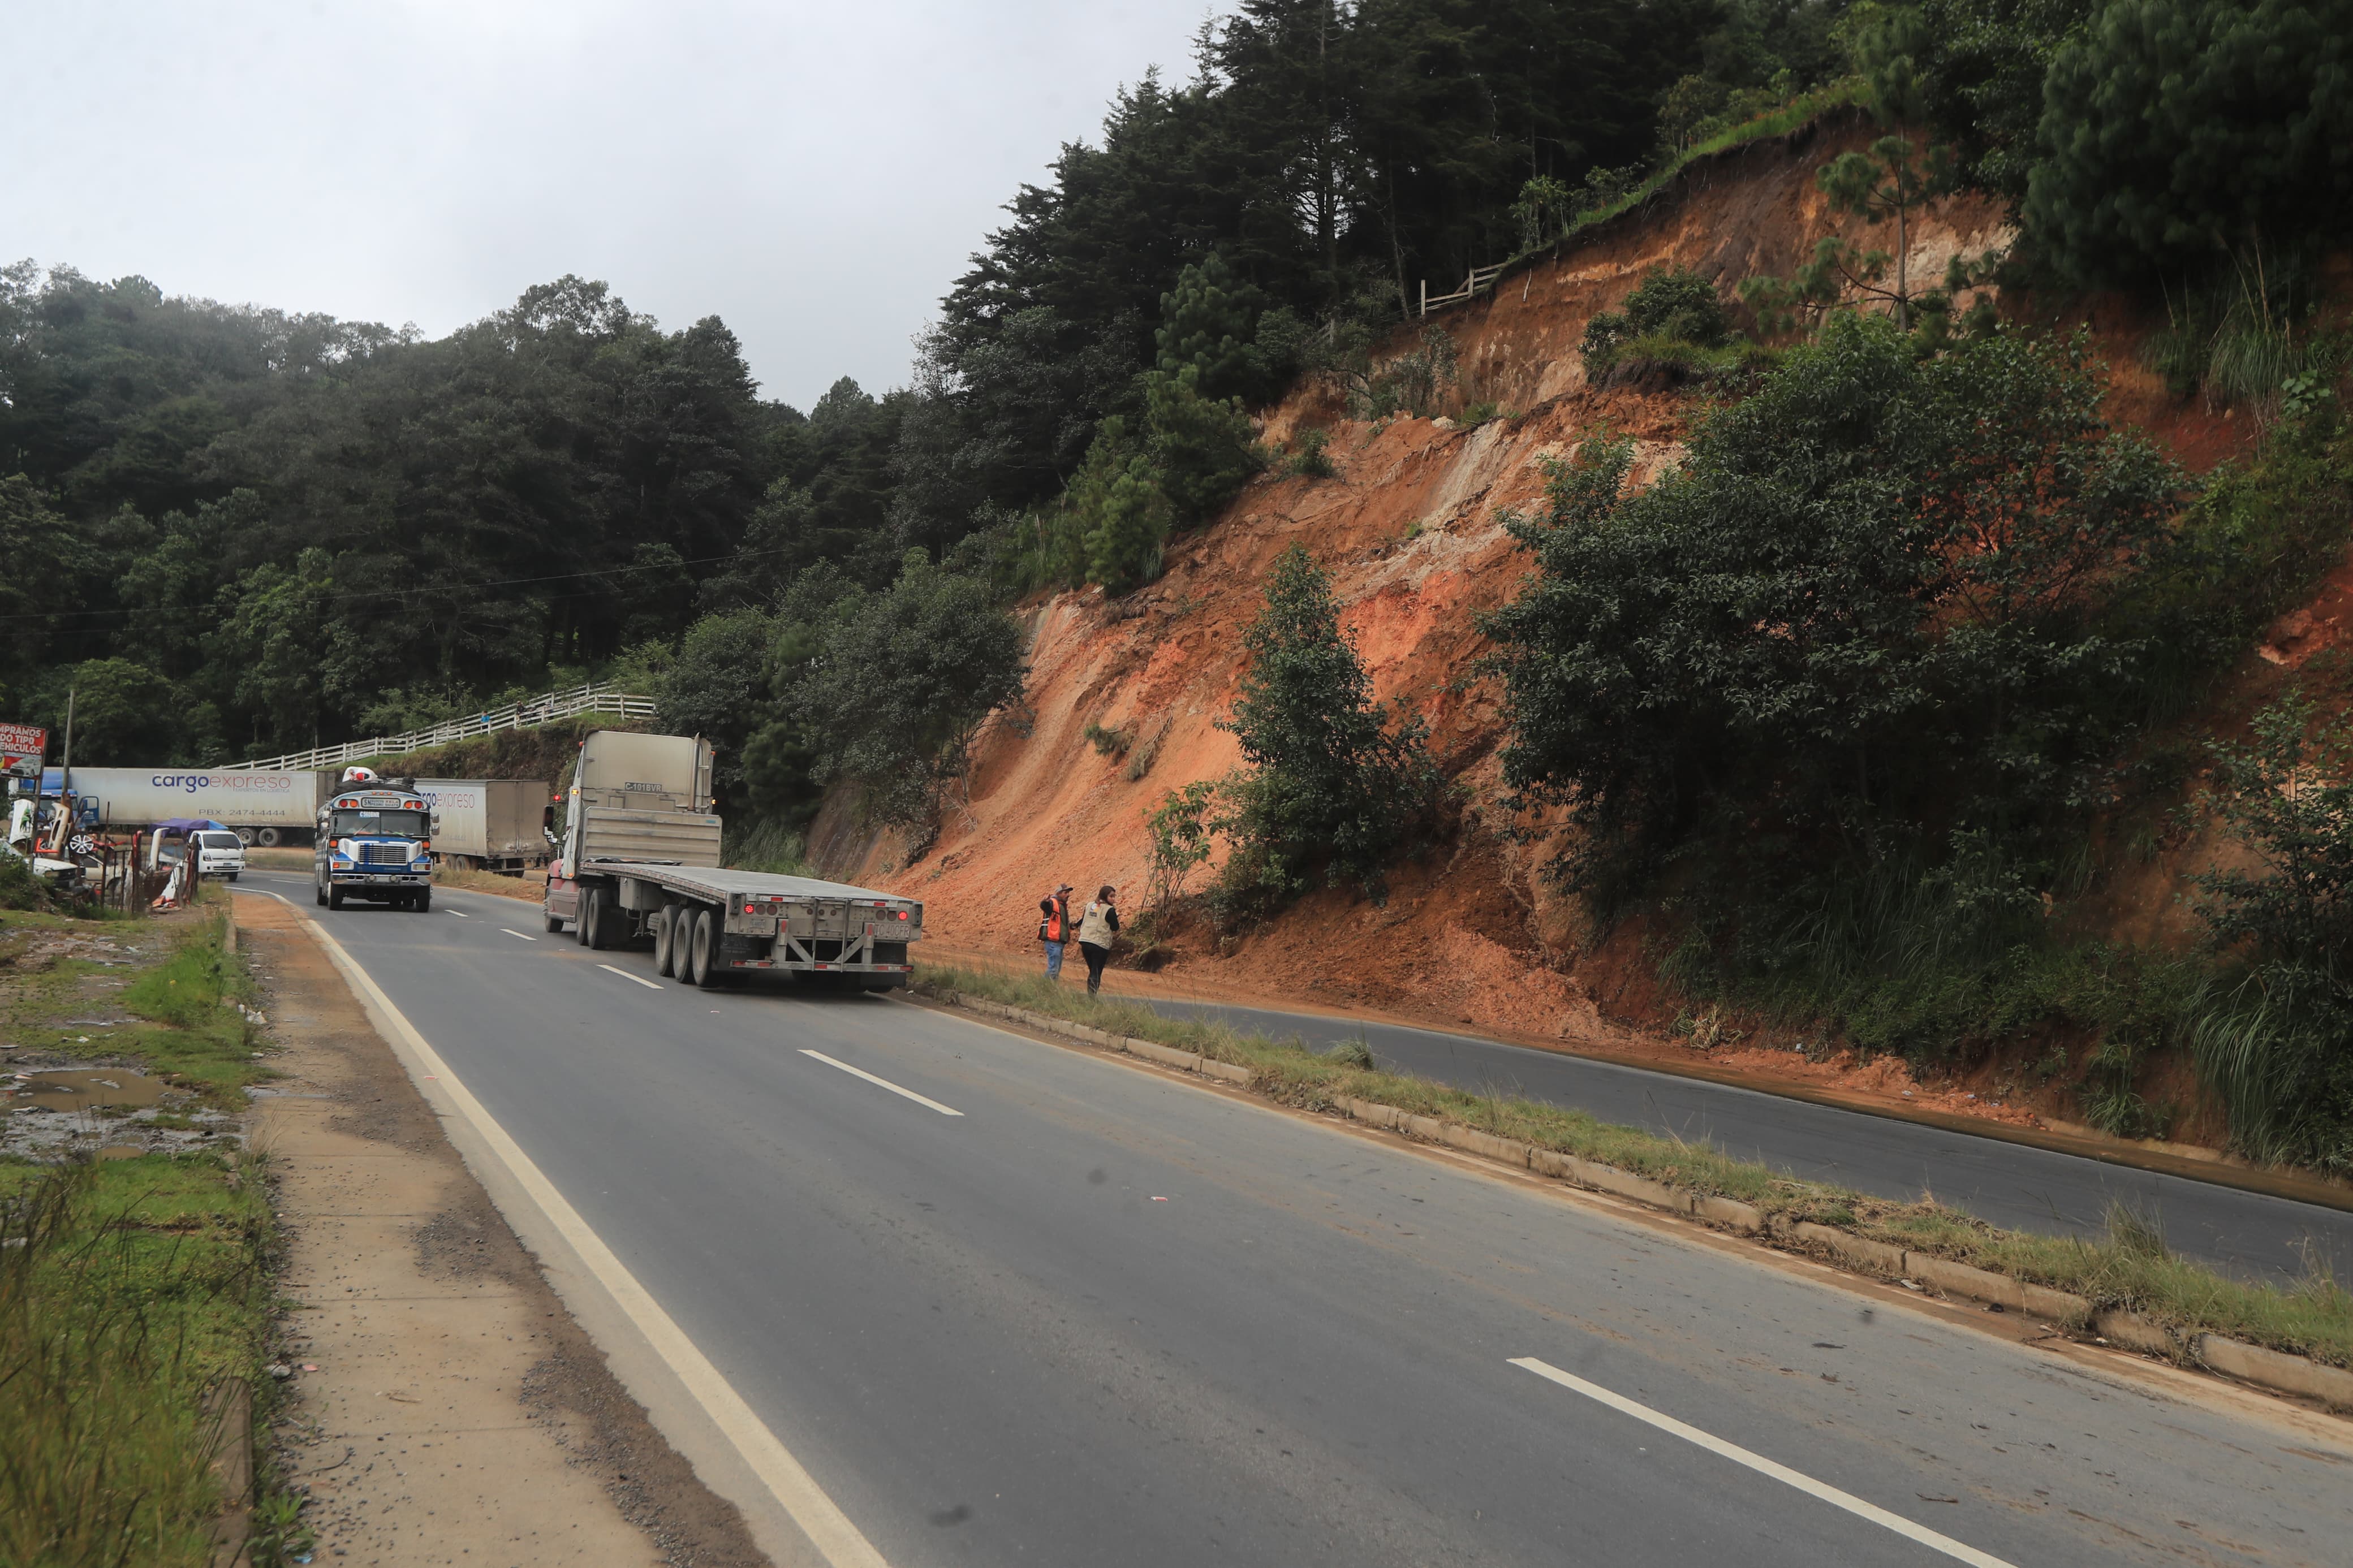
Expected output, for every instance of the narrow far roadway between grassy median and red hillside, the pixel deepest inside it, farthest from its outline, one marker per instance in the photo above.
(2006, 1184)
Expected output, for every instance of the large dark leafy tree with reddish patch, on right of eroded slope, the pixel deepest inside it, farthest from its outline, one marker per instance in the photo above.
(1862, 612)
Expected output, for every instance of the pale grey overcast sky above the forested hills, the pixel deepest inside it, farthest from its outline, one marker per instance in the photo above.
(811, 173)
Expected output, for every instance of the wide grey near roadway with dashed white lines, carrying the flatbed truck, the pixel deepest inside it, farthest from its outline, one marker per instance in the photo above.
(1105, 1318)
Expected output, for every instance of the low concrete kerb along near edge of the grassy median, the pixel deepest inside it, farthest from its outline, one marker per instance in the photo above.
(2267, 1369)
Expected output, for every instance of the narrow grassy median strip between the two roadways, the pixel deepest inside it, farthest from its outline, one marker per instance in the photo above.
(2128, 1268)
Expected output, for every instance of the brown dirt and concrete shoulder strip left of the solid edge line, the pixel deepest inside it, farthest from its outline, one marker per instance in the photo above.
(444, 1407)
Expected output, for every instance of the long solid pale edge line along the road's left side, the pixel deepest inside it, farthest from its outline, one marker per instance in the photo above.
(827, 1527)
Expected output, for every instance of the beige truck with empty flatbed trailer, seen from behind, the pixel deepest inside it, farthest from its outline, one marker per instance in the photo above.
(641, 862)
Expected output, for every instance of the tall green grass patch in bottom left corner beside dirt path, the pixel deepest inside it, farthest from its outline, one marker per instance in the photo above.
(128, 1289)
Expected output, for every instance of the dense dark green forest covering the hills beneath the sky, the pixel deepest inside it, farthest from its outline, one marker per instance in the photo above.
(236, 532)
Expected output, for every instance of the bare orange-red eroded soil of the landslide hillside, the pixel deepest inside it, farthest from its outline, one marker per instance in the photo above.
(1413, 532)
